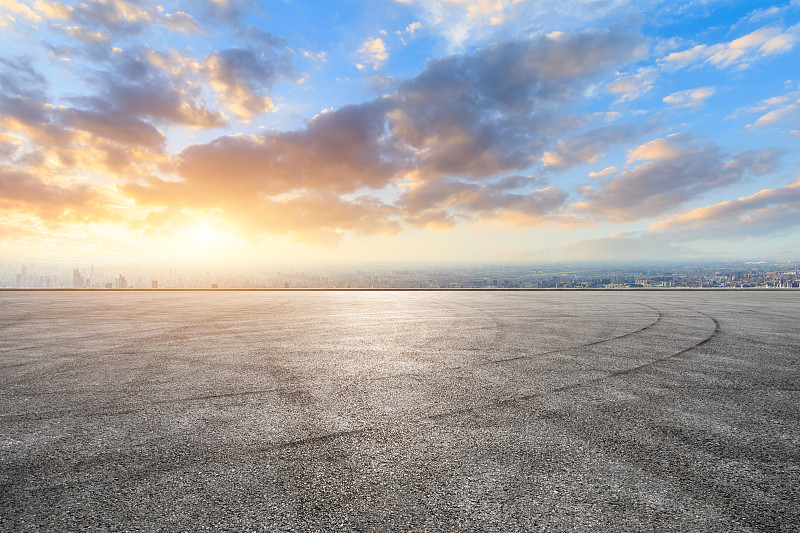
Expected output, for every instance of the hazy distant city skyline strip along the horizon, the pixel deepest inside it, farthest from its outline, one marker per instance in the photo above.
(752, 274)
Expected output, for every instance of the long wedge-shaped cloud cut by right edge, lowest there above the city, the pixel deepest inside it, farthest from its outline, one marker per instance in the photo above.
(767, 212)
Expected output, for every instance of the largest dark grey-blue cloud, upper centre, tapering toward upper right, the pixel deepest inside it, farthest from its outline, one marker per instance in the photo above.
(493, 110)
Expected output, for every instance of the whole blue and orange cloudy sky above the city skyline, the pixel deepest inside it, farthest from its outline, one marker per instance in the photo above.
(245, 132)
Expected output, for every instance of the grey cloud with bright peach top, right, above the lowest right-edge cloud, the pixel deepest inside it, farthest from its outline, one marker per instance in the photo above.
(676, 169)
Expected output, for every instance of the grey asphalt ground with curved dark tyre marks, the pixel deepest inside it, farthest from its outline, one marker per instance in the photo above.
(460, 411)
